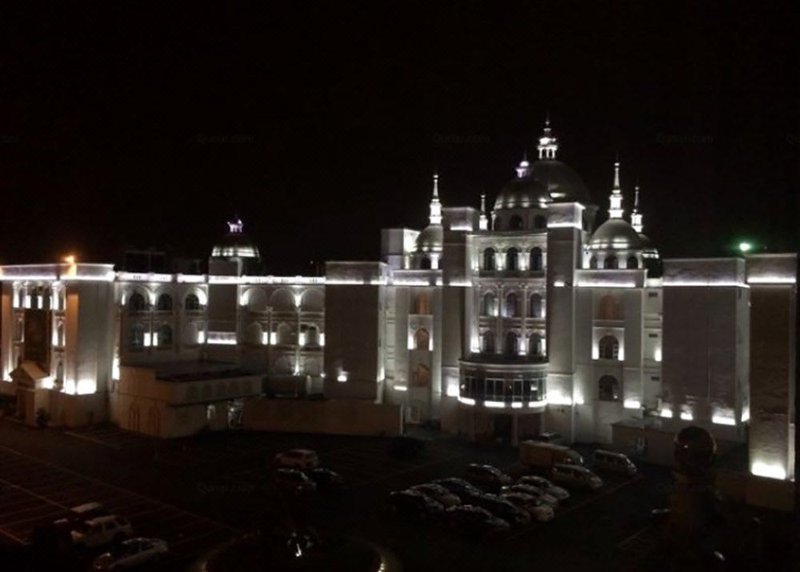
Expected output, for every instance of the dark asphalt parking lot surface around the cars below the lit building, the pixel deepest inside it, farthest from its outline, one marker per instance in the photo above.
(193, 491)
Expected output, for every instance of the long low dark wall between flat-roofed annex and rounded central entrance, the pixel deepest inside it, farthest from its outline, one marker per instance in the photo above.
(337, 417)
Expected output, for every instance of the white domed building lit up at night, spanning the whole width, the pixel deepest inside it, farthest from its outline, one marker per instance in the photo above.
(496, 323)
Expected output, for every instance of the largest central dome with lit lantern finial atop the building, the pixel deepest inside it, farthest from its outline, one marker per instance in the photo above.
(522, 203)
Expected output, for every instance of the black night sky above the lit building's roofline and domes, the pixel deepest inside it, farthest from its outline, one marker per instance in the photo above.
(319, 124)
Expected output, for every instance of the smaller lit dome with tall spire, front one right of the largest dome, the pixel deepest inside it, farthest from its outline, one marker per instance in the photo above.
(615, 244)
